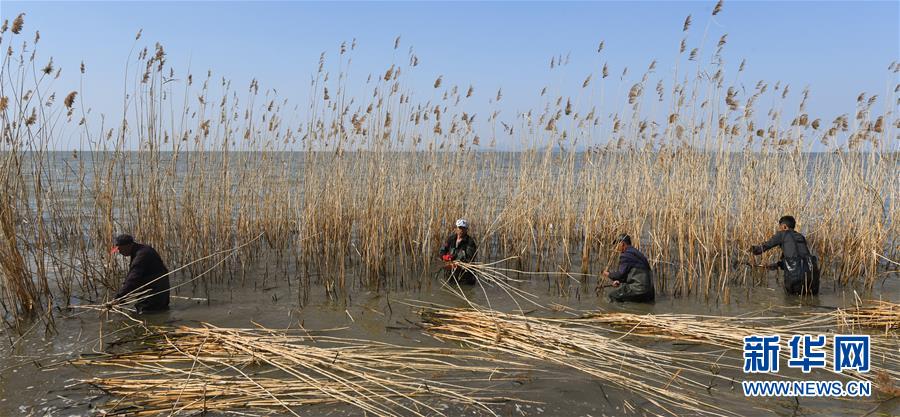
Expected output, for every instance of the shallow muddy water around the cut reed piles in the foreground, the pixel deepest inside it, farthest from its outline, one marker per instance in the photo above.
(34, 382)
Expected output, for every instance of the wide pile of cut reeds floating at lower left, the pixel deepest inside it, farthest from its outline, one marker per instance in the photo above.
(209, 368)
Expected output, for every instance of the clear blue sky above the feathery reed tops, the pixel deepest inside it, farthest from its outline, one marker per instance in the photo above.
(839, 49)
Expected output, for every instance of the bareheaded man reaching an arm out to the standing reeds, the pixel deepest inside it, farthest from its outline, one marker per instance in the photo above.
(801, 269)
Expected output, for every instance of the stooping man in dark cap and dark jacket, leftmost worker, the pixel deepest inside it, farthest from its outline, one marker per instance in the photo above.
(144, 274)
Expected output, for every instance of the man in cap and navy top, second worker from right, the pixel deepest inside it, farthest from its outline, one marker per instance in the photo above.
(634, 278)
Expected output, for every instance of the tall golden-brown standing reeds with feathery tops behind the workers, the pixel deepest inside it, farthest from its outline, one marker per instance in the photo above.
(691, 164)
